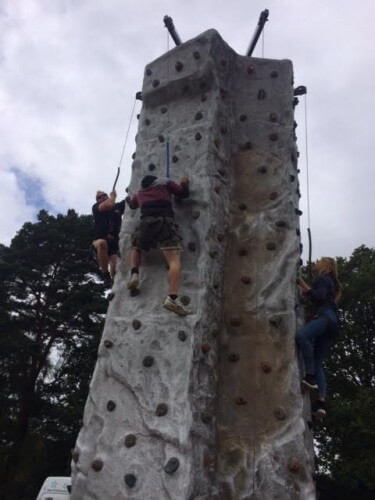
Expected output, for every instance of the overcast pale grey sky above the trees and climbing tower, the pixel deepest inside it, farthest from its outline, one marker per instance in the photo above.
(70, 70)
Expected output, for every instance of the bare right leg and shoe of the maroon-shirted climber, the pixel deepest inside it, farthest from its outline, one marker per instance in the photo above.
(172, 302)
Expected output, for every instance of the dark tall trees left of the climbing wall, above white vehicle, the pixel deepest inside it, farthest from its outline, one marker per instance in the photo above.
(51, 315)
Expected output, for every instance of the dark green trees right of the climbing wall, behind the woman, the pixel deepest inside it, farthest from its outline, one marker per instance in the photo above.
(346, 440)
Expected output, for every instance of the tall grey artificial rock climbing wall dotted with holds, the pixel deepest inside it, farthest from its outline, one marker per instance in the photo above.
(208, 405)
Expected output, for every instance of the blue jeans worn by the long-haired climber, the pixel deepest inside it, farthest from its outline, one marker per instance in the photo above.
(315, 340)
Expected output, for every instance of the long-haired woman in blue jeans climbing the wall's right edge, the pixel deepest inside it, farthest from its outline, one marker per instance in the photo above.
(316, 337)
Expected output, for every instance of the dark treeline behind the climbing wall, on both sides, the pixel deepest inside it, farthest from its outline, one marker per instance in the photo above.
(52, 310)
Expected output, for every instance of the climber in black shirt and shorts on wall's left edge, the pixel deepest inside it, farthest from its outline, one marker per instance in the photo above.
(107, 215)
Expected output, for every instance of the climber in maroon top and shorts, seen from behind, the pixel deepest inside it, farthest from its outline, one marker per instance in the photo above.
(158, 229)
